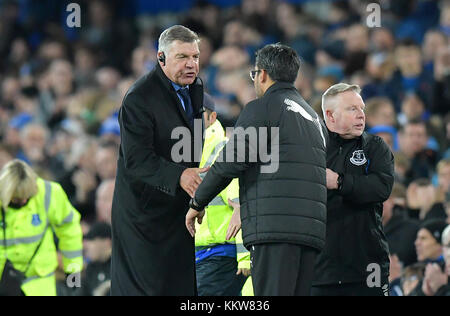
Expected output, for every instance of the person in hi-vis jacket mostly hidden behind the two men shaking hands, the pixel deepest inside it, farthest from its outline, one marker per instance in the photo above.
(222, 262)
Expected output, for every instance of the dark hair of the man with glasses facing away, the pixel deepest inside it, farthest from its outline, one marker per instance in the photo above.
(280, 61)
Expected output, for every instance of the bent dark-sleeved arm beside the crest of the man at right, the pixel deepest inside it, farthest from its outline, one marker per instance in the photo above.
(376, 186)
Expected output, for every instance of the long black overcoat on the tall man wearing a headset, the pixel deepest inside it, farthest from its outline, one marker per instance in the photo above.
(153, 253)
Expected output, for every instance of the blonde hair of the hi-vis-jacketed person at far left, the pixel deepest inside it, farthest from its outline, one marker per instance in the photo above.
(17, 180)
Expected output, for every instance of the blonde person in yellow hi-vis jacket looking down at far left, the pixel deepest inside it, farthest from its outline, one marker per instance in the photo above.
(31, 211)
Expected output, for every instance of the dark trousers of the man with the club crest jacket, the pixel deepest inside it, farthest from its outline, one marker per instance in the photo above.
(351, 289)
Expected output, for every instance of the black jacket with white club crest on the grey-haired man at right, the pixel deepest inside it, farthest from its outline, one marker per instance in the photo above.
(355, 236)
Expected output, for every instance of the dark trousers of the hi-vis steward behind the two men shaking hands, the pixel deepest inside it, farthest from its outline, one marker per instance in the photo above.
(216, 276)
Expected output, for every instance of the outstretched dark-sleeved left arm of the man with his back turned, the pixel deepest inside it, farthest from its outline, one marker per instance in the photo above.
(232, 162)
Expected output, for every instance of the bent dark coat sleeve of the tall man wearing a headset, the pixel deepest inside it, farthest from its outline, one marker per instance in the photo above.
(137, 143)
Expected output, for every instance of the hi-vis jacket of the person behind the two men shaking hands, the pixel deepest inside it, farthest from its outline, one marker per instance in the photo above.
(218, 213)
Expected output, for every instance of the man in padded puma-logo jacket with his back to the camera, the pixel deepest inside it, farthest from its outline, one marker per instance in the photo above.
(283, 209)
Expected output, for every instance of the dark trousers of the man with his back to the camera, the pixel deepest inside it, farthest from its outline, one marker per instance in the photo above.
(281, 269)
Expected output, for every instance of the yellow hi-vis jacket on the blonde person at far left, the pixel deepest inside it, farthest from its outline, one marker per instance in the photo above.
(47, 212)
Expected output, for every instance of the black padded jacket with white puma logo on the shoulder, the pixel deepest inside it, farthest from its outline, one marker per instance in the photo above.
(286, 205)
